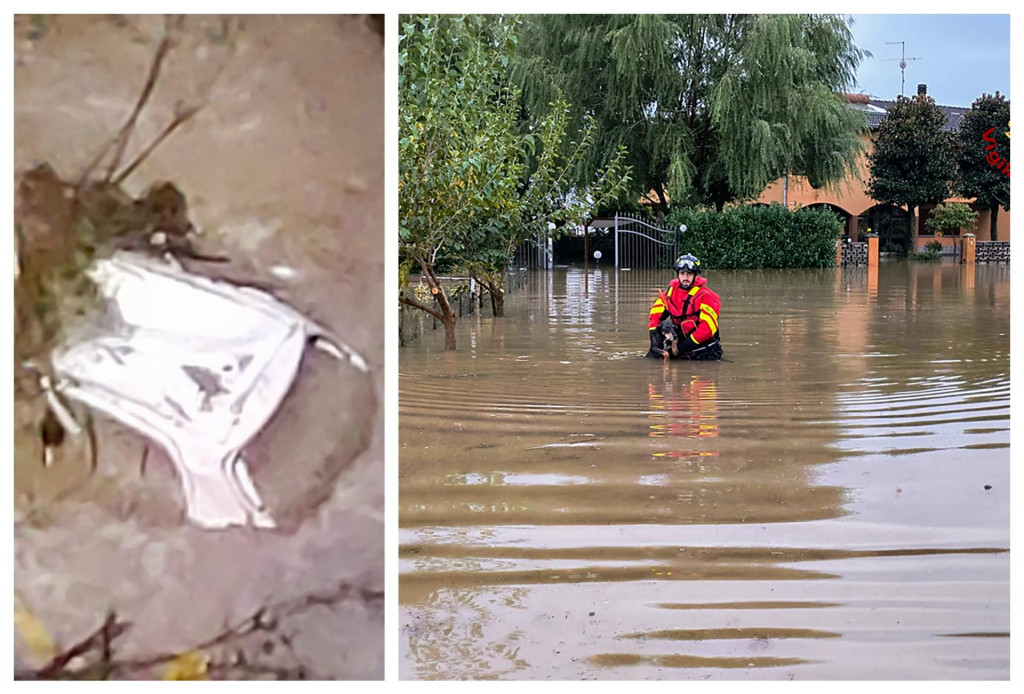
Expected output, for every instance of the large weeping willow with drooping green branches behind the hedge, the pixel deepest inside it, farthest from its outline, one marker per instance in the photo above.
(711, 109)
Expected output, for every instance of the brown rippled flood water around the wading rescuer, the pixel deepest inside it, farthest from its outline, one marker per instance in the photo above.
(831, 502)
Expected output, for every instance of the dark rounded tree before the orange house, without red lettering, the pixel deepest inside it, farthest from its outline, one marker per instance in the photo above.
(913, 161)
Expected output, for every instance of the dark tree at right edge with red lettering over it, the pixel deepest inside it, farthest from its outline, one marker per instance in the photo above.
(989, 185)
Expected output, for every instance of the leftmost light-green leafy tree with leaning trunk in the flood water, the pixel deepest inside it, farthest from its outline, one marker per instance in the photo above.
(458, 159)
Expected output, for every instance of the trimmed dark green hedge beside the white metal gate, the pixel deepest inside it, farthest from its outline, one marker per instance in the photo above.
(759, 237)
